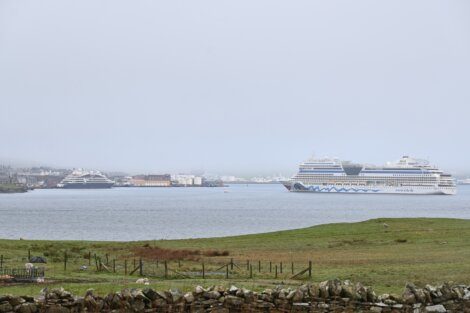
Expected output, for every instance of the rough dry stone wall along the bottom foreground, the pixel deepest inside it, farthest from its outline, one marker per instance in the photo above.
(328, 296)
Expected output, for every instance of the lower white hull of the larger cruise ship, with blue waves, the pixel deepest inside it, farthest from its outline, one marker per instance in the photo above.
(414, 190)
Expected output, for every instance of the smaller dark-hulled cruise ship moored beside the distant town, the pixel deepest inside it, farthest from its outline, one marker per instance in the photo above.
(79, 179)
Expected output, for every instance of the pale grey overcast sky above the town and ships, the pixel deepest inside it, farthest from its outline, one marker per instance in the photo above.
(241, 87)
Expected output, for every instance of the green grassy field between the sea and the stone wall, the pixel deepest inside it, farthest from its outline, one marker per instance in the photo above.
(383, 253)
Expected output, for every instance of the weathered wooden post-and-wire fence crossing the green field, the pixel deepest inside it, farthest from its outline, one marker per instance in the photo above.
(222, 268)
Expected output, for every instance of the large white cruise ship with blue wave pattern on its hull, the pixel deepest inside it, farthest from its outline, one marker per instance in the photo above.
(406, 176)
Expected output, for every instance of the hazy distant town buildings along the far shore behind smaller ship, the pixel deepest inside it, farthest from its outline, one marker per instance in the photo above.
(21, 179)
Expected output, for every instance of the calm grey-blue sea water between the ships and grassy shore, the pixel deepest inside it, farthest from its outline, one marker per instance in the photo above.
(155, 213)
